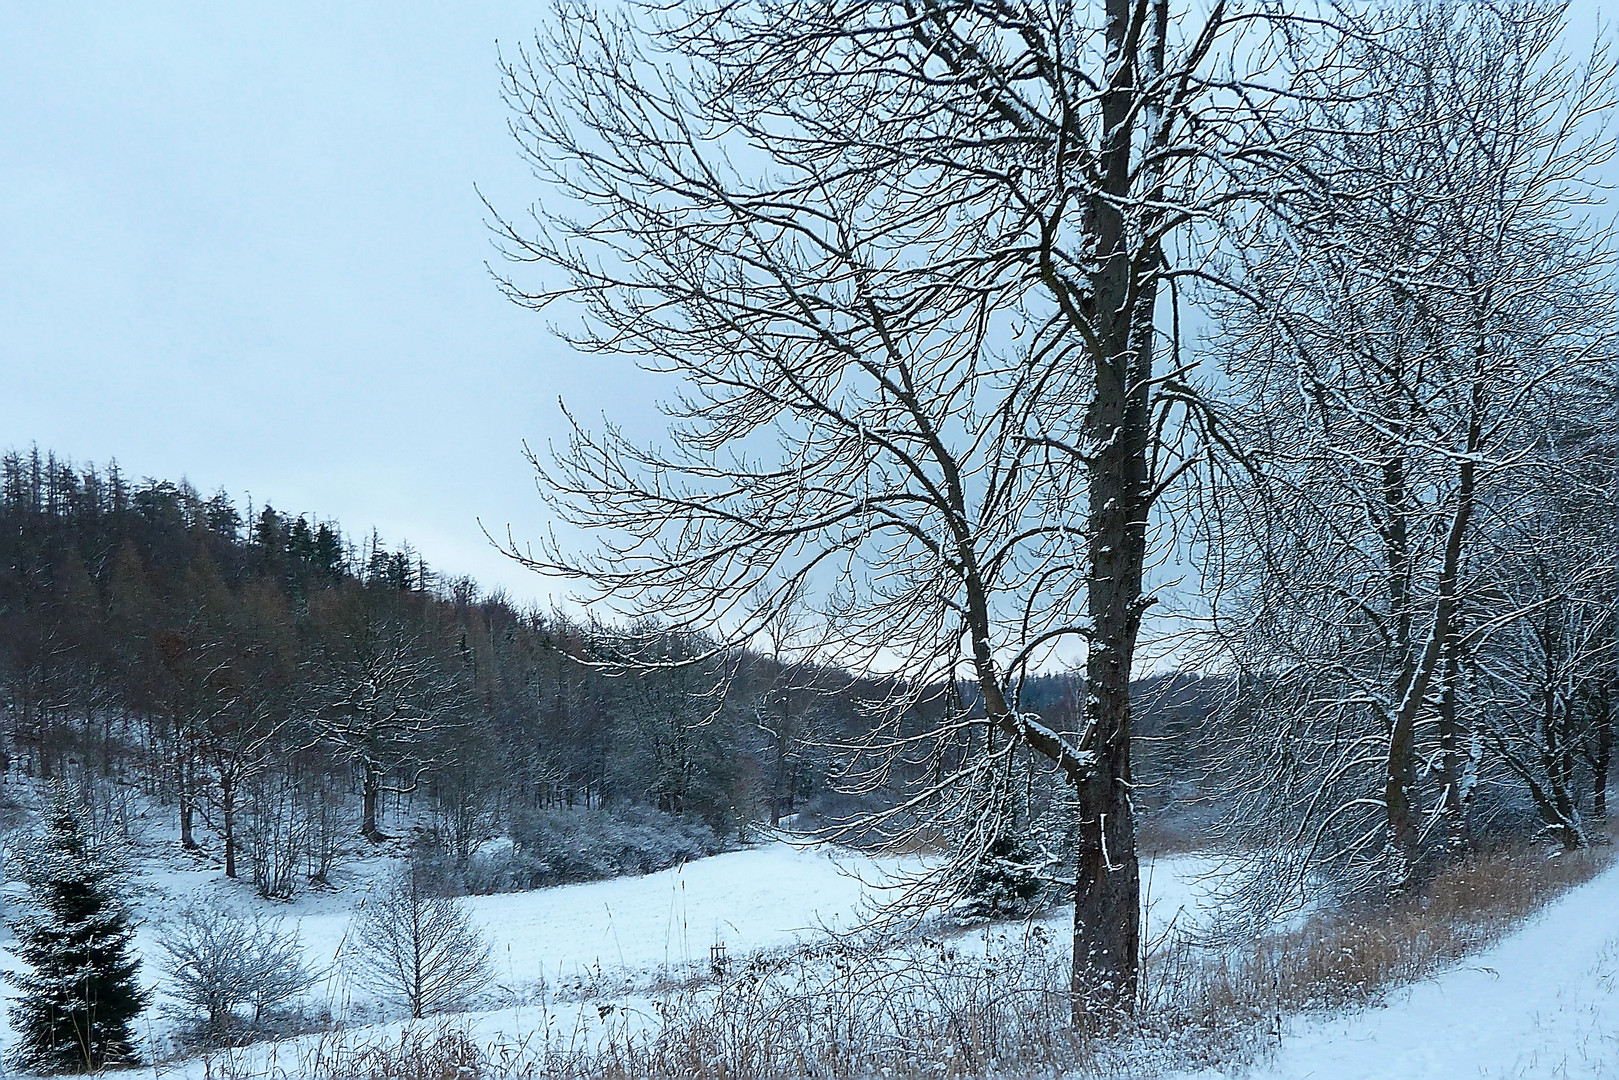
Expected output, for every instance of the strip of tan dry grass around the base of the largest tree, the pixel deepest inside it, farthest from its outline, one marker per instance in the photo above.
(995, 1006)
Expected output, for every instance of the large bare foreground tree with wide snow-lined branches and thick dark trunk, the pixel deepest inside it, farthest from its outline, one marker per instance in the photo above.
(904, 265)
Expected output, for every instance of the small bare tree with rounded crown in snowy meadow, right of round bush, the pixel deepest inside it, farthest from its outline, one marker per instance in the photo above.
(419, 948)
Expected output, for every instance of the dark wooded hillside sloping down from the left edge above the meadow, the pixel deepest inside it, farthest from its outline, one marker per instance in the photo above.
(281, 687)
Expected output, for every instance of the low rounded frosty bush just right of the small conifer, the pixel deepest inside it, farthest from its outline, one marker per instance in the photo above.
(219, 963)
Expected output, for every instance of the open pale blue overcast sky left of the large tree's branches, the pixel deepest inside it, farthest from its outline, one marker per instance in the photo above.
(244, 245)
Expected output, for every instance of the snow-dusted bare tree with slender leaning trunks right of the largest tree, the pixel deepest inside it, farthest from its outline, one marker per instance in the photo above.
(1403, 331)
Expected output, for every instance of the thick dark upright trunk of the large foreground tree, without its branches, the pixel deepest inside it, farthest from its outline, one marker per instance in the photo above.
(1121, 307)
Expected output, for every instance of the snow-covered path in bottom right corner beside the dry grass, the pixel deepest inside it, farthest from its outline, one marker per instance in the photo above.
(1540, 1005)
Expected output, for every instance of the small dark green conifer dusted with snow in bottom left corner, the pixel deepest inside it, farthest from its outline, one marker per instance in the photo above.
(80, 997)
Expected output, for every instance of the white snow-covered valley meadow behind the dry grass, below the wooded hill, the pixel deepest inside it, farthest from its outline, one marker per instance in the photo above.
(569, 958)
